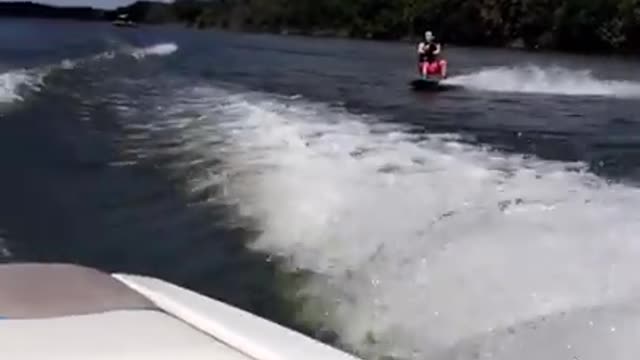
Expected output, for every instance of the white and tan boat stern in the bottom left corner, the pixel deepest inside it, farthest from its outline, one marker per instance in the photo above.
(59, 311)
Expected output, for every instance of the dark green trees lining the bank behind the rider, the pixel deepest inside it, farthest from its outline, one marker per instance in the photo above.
(576, 25)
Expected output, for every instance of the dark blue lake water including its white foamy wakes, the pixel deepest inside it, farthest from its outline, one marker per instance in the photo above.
(302, 180)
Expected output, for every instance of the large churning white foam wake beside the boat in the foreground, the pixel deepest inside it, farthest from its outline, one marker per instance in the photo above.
(417, 244)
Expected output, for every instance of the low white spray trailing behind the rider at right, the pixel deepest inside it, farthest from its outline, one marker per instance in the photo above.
(554, 80)
